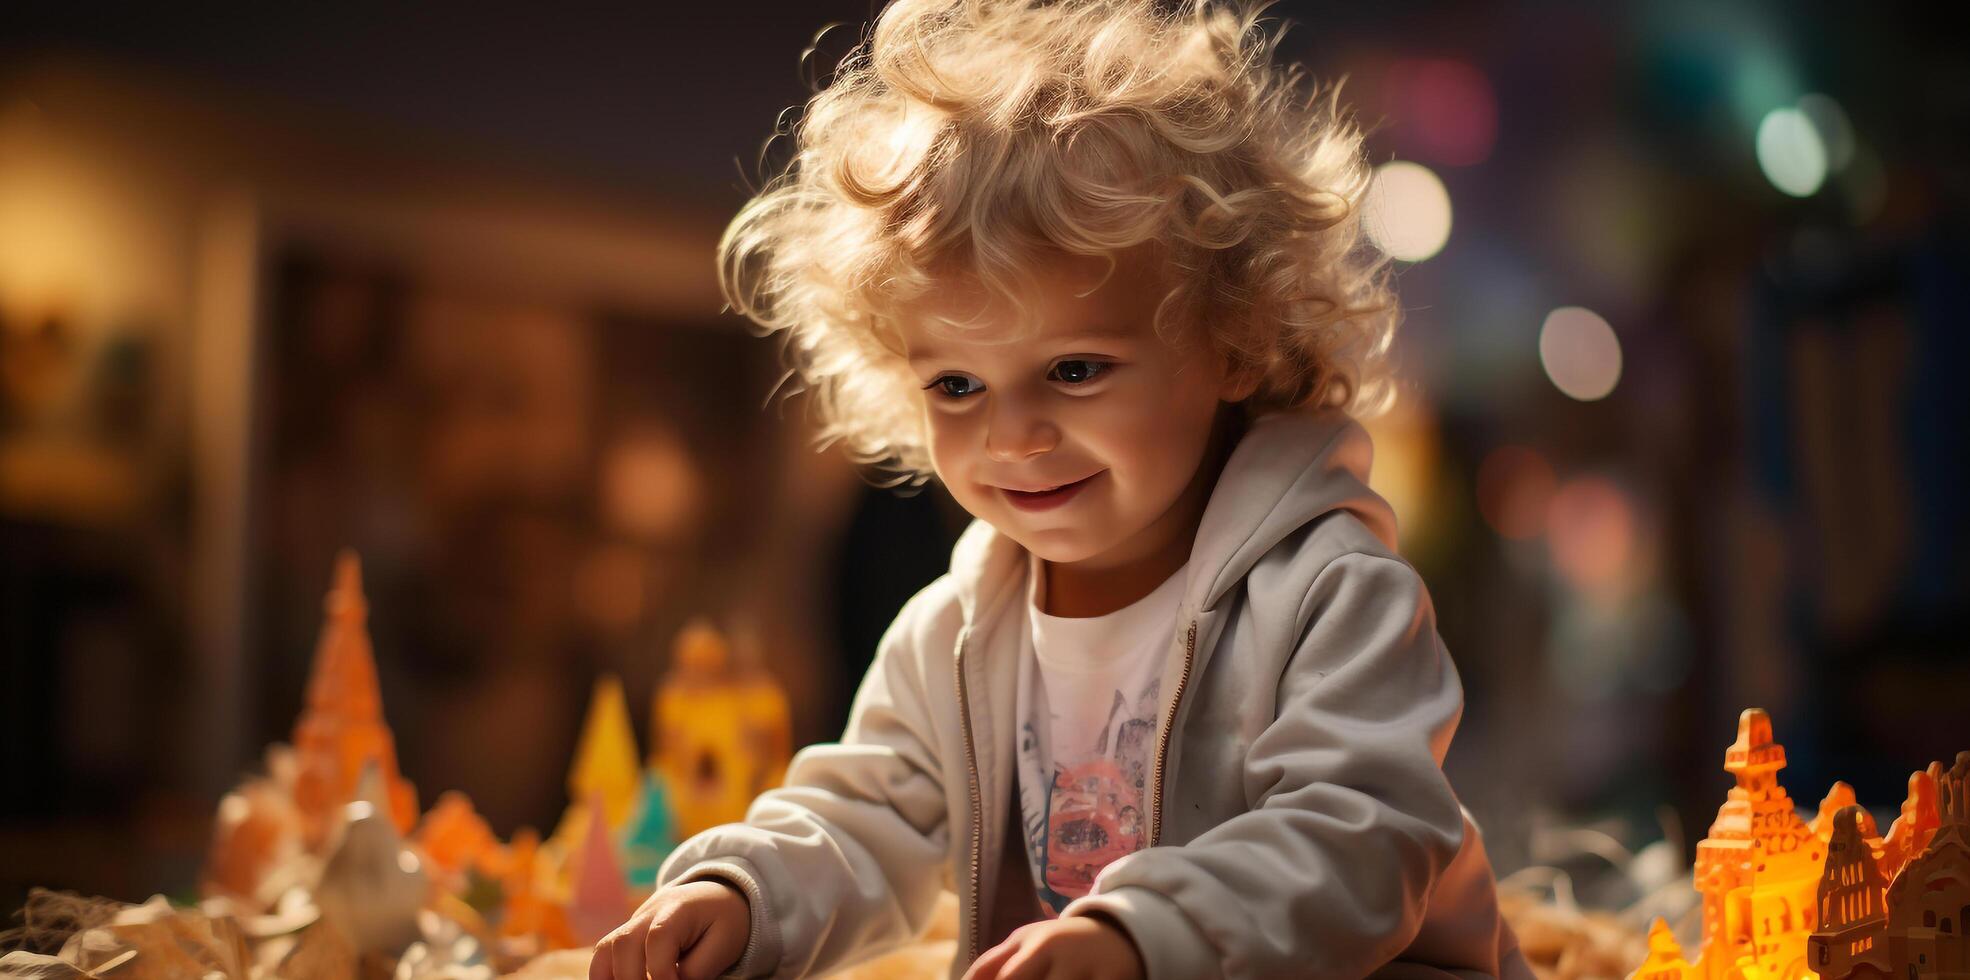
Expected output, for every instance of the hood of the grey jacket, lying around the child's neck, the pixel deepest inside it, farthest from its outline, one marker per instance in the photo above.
(1285, 472)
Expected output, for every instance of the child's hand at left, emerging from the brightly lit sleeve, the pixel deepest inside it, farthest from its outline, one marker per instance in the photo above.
(689, 932)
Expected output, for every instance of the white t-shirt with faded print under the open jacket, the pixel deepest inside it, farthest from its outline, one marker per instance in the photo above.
(1086, 735)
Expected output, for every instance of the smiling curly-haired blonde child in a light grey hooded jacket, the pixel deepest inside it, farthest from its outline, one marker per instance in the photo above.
(1179, 709)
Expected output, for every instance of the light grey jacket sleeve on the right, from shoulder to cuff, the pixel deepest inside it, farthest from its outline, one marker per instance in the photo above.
(1352, 819)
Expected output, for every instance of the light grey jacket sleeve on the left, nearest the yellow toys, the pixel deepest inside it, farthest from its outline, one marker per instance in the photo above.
(848, 857)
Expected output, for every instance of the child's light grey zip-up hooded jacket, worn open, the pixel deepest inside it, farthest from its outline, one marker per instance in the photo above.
(1301, 821)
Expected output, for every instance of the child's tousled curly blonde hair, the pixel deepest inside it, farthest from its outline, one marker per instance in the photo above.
(978, 137)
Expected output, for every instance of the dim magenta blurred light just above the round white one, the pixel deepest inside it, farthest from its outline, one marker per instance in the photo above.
(1447, 109)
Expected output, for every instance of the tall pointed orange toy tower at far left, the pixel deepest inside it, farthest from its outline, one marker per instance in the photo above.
(342, 729)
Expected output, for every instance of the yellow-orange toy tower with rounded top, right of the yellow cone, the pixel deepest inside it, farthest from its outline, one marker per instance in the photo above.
(722, 736)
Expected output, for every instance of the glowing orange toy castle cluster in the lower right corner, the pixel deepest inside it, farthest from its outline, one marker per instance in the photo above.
(1788, 900)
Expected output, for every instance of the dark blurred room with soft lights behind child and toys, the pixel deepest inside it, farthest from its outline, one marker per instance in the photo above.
(1679, 431)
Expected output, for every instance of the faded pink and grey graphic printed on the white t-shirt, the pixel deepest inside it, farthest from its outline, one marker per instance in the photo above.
(1092, 809)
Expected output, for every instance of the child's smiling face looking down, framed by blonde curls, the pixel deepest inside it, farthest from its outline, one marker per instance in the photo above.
(1081, 439)
